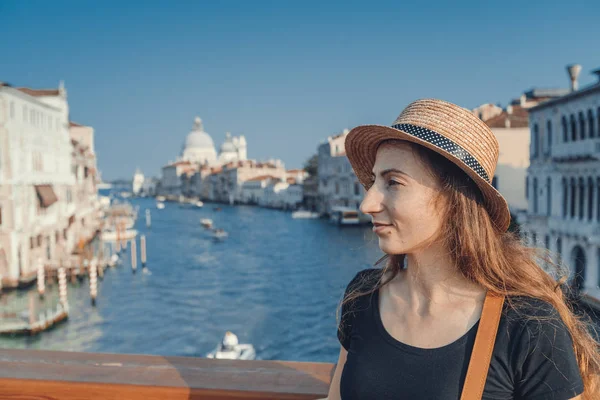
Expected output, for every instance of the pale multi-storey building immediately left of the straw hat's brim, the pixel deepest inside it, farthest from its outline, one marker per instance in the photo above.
(338, 185)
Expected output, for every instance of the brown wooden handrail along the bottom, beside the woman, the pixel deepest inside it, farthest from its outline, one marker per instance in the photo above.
(49, 375)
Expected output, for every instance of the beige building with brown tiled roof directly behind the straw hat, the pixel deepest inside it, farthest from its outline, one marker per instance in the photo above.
(511, 127)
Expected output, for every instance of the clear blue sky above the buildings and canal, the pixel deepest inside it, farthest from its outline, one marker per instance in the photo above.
(285, 74)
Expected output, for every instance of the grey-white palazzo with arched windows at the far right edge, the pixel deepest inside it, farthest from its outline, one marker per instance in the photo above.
(563, 181)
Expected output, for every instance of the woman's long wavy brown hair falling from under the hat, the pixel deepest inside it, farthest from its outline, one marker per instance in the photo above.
(498, 261)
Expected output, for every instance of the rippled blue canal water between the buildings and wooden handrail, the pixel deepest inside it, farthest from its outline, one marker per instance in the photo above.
(275, 282)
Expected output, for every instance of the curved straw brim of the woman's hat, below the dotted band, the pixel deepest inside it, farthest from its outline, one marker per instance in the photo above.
(361, 149)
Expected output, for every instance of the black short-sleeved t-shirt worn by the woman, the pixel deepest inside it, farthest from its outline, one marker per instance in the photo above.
(533, 357)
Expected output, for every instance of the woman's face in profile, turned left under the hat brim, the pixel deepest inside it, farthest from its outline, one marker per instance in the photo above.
(402, 201)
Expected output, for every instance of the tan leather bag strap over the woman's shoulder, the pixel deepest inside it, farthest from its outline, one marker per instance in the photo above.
(483, 347)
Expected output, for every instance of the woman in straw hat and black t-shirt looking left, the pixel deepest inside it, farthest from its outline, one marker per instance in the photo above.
(409, 329)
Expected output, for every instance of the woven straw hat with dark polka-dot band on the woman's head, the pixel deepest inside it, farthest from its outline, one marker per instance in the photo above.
(445, 128)
